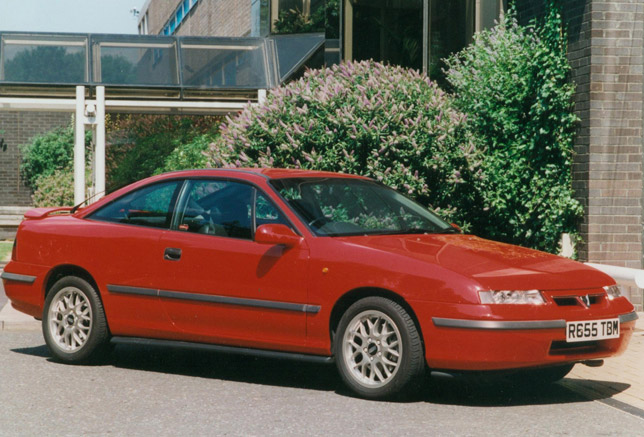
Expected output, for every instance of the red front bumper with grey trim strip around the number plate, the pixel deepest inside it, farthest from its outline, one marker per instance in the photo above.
(469, 341)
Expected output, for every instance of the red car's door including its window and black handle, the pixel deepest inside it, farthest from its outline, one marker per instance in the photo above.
(219, 284)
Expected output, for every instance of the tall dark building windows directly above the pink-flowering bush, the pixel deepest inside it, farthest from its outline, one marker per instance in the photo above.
(413, 33)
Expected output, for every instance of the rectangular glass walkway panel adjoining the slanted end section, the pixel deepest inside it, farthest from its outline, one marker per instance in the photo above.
(224, 63)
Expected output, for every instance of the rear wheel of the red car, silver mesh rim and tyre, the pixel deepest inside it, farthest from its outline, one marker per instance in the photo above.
(74, 324)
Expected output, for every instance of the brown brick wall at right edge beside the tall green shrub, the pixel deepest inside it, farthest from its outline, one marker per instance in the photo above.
(614, 212)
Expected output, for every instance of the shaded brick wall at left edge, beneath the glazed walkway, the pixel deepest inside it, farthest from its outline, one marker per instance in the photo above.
(18, 128)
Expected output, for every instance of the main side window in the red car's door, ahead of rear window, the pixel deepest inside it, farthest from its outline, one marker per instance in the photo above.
(216, 207)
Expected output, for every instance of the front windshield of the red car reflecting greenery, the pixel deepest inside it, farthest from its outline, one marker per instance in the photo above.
(343, 207)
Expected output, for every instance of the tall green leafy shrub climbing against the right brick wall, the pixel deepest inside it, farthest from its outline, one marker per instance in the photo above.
(512, 82)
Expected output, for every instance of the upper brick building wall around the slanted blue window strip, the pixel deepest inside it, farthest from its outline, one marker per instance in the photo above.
(206, 18)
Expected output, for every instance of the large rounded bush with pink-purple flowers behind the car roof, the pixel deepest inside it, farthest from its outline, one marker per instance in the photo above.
(387, 122)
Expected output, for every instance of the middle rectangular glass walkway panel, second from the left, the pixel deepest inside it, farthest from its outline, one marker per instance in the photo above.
(135, 61)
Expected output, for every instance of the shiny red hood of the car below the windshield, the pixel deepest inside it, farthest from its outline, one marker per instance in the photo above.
(492, 264)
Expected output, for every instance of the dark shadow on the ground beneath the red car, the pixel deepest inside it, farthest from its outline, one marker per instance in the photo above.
(469, 389)
